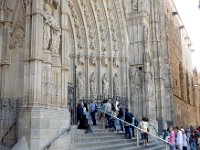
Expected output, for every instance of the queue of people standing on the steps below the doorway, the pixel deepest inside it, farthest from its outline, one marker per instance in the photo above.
(109, 119)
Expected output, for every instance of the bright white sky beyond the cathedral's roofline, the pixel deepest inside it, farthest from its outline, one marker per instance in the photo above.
(190, 15)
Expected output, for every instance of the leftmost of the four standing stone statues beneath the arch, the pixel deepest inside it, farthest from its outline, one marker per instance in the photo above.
(81, 84)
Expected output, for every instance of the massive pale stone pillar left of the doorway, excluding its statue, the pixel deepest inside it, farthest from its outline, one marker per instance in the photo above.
(39, 123)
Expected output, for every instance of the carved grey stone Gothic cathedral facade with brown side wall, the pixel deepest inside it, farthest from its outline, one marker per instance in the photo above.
(134, 49)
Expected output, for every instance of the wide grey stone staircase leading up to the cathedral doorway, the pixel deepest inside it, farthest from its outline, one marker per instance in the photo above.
(105, 139)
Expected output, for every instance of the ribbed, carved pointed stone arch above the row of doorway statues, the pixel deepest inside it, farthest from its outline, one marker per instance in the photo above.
(98, 33)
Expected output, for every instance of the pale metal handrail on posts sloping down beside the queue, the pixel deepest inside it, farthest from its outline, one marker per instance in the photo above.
(167, 143)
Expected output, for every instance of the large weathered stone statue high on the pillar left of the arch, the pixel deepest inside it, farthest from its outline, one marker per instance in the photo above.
(51, 31)
